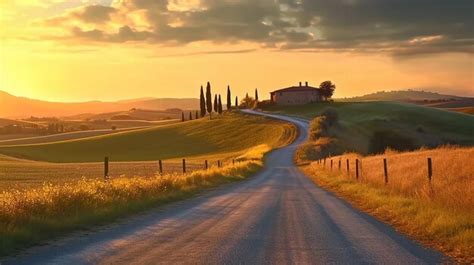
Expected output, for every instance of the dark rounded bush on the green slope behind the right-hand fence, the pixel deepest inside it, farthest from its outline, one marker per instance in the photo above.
(384, 139)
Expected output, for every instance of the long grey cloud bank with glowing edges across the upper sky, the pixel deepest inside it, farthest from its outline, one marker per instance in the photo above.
(399, 27)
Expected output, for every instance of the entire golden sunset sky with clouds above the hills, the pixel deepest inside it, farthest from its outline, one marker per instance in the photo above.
(80, 50)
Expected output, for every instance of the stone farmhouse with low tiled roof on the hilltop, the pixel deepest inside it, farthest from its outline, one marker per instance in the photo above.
(296, 95)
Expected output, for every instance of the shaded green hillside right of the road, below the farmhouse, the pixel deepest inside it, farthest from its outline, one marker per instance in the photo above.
(359, 120)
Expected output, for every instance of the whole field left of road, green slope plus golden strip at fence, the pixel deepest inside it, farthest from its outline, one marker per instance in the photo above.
(220, 139)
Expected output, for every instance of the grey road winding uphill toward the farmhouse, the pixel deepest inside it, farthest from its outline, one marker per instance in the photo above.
(277, 217)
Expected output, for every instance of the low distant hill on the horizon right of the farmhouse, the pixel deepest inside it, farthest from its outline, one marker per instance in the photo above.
(405, 95)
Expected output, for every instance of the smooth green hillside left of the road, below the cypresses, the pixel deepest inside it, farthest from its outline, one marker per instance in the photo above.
(229, 133)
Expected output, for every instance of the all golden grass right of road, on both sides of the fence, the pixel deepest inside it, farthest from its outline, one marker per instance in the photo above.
(440, 214)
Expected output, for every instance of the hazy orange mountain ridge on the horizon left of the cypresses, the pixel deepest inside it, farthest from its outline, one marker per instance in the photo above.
(21, 107)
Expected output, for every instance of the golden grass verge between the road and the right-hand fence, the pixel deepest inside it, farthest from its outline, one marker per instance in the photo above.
(449, 229)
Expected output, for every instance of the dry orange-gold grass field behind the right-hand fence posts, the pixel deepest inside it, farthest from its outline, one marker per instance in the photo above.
(452, 183)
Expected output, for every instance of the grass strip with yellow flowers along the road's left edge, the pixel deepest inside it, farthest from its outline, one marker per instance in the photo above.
(28, 217)
